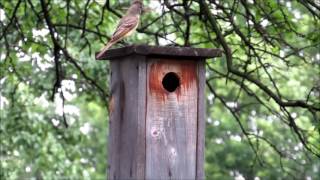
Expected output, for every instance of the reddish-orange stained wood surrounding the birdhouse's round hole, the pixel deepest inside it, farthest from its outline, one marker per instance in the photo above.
(185, 69)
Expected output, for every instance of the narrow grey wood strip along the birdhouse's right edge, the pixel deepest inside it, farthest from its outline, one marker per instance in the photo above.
(201, 120)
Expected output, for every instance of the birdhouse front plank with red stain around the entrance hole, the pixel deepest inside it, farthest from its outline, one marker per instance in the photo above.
(171, 124)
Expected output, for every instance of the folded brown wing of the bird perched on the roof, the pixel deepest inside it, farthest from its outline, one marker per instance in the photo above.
(126, 25)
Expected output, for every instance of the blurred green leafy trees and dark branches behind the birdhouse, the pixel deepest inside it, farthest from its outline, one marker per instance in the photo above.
(262, 94)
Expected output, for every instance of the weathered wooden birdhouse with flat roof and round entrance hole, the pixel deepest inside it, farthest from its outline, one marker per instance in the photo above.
(157, 112)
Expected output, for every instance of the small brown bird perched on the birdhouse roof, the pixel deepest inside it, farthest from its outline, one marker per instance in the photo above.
(127, 25)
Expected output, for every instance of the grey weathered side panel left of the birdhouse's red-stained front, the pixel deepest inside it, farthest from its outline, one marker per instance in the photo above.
(128, 112)
